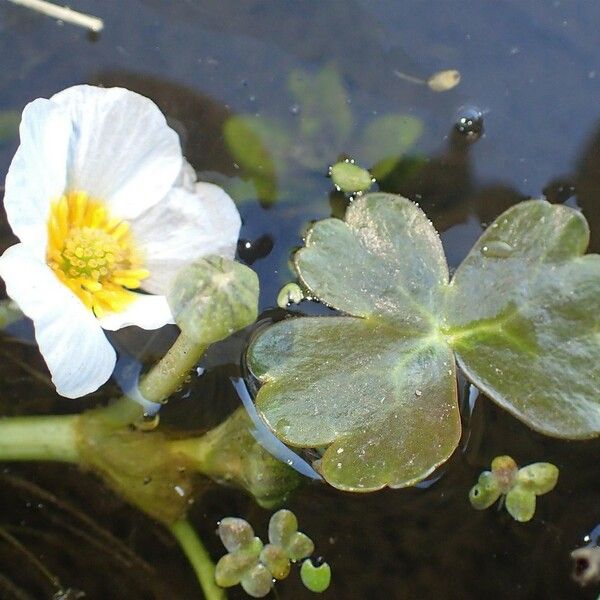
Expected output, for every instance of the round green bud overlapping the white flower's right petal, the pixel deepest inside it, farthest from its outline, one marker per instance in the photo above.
(213, 298)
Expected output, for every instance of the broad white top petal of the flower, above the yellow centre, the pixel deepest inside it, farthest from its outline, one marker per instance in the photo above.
(123, 152)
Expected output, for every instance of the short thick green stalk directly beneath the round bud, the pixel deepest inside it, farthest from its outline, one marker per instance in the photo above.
(170, 372)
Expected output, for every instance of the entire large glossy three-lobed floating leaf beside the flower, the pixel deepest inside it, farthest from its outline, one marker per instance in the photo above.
(377, 387)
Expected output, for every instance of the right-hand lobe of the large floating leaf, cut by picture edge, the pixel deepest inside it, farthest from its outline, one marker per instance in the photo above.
(524, 309)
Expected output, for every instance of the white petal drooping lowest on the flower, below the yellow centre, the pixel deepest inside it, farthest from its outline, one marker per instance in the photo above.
(79, 356)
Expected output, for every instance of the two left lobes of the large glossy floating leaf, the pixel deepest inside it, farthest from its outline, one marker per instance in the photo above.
(373, 386)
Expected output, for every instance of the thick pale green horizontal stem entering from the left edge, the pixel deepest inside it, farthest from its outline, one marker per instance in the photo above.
(40, 438)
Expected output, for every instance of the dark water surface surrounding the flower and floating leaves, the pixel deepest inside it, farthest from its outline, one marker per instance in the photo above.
(531, 68)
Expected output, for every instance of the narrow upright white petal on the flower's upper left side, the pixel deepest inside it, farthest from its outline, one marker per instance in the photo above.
(37, 174)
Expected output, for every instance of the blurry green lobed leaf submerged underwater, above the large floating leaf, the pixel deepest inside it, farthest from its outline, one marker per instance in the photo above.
(267, 149)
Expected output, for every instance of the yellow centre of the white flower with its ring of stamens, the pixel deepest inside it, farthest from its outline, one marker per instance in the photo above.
(92, 253)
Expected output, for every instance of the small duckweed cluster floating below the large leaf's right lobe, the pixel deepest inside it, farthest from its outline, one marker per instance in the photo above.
(517, 487)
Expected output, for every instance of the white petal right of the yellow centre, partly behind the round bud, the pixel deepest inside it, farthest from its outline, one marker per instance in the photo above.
(182, 228)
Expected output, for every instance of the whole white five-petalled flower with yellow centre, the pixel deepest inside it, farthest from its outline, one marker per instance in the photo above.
(104, 203)
